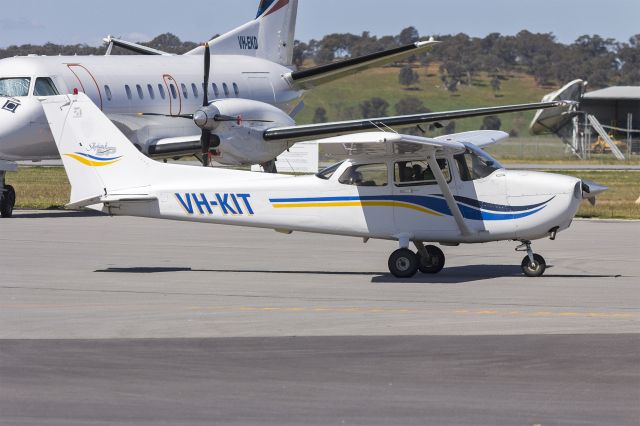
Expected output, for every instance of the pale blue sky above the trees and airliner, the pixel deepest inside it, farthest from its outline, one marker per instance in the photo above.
(88, 21)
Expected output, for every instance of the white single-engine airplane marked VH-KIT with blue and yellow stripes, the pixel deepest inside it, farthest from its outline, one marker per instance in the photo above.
(410, 189)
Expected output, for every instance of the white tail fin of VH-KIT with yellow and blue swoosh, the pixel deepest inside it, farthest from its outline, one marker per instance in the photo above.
(98, 158)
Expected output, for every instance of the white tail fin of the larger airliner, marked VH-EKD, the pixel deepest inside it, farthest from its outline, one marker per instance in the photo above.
(270, 36)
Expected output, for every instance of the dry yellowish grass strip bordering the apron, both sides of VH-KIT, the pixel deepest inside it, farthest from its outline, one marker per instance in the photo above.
(48, 187)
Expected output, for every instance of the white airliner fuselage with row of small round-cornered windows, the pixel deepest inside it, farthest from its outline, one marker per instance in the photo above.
(125, 86)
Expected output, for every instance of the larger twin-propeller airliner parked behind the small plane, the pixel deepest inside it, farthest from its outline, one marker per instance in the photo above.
(249, 78)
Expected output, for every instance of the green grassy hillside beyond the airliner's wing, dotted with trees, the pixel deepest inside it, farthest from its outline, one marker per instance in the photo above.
(342, 98)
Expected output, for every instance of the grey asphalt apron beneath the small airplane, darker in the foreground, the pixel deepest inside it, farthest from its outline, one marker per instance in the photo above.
(134, 321)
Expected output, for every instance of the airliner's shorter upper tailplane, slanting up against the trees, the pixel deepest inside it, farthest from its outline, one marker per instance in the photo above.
(310, 78)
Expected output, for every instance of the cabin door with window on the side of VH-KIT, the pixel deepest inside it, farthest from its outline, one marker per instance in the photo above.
(420, 205)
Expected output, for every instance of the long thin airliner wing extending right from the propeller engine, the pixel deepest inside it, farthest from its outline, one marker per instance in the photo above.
(316, 131)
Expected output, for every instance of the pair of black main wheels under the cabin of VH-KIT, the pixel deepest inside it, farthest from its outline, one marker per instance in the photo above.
(404, 263)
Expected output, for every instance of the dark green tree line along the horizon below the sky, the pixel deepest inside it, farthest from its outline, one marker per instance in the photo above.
(601, 61)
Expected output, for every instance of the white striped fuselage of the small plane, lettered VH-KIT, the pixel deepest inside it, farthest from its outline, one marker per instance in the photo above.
(507, 205)
